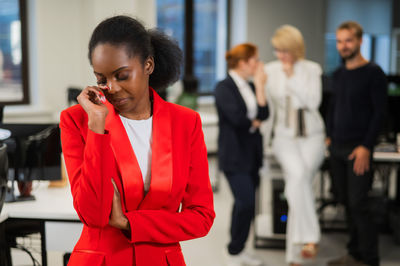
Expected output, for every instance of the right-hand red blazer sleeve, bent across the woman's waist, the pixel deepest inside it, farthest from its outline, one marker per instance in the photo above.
(197, 212)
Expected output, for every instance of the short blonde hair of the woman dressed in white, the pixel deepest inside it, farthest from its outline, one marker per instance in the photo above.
(289, 38)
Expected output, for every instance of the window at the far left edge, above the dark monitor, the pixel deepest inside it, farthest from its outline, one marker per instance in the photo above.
(13, 64)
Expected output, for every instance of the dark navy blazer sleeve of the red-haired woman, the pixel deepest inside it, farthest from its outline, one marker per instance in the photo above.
(229, 108)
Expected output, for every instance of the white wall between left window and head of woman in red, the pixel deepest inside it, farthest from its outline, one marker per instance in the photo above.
(60, 32)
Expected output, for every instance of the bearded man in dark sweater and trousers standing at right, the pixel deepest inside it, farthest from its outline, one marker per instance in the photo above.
(354, 122)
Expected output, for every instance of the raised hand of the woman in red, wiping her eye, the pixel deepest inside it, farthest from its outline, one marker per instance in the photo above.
(92, 101)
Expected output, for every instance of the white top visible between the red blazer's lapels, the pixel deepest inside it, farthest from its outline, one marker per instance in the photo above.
(140, 136)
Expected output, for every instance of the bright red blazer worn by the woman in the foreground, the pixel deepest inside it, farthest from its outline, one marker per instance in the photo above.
(178, 206)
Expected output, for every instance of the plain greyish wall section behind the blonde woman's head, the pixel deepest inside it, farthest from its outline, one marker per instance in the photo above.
(265, 16)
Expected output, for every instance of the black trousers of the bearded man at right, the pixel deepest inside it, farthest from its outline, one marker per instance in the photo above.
(352, 191)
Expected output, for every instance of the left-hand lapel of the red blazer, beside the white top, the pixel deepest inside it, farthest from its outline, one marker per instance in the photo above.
(131, 176)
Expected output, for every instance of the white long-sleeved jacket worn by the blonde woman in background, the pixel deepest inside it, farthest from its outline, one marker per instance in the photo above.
(302, 90)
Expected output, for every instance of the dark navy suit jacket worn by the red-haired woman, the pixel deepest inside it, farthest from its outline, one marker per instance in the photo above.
(239, 150)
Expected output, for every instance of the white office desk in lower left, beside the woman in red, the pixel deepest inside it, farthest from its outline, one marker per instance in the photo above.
(51, 214)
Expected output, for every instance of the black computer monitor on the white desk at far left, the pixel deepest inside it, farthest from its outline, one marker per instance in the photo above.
(34, 153)
